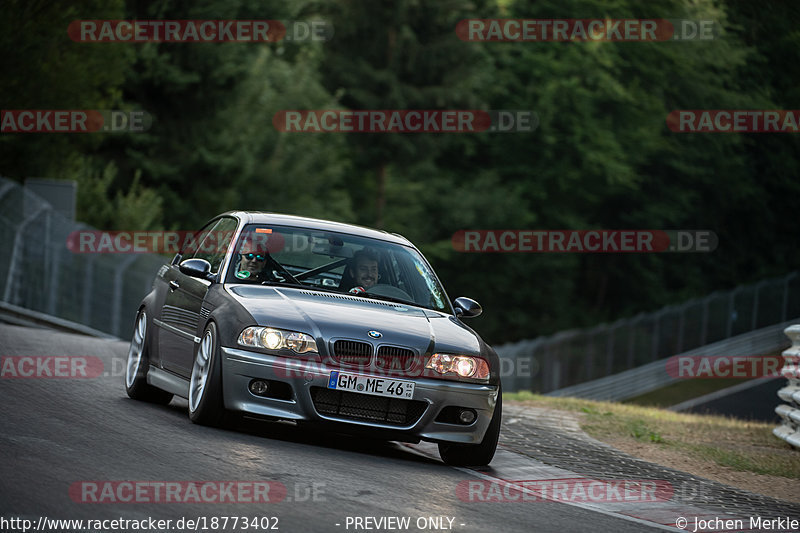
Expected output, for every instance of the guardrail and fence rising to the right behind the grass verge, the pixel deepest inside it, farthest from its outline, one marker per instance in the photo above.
(572, 357)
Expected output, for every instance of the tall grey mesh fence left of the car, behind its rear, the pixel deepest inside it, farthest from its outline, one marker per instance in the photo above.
(38, 272)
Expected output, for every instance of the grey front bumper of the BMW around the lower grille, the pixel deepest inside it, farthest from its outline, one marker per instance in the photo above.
(242, 366)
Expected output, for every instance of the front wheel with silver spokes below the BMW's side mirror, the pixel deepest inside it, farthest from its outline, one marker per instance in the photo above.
(205, 384)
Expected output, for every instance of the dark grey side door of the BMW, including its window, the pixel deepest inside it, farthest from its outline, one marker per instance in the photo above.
(182, 309)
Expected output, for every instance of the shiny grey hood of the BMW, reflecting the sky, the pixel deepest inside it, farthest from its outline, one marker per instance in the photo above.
(329, 316)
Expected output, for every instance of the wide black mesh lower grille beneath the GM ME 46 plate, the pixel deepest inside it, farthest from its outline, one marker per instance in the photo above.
(365, 407)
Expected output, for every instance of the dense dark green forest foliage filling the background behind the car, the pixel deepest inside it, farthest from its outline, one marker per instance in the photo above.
(601, 157)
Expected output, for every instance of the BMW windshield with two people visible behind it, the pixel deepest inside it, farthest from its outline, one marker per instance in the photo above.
(272, 255)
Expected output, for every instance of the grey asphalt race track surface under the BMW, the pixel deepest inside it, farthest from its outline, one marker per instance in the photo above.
(59, 432)
